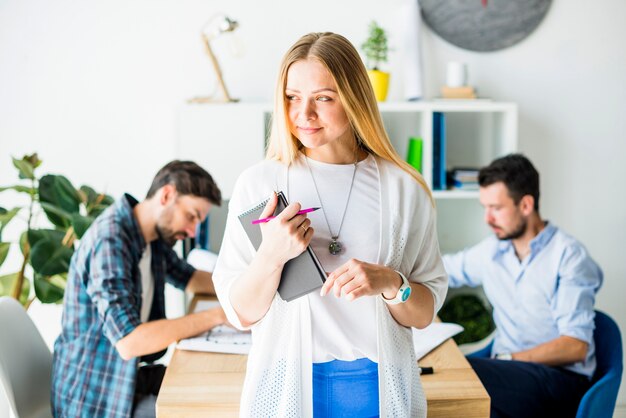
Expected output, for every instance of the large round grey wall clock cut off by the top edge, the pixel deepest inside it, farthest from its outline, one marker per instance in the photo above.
(483, 25)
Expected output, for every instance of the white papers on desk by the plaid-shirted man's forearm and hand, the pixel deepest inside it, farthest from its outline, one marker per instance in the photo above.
(221, 339)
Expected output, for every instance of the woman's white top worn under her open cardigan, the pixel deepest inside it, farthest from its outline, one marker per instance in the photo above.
(341, 330)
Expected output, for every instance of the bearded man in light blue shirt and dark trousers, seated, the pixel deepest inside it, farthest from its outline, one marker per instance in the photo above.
(542, 284)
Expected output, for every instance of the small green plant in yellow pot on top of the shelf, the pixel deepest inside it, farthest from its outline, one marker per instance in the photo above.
(376, 50)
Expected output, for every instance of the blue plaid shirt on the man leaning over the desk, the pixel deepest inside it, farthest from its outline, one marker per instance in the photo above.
(102, 305)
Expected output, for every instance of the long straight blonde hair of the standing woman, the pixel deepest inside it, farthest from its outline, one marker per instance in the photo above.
(342, 60)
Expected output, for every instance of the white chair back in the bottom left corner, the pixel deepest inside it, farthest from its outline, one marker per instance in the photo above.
(25, 363)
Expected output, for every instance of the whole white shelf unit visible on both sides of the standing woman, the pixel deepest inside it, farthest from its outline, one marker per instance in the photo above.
(227, 138)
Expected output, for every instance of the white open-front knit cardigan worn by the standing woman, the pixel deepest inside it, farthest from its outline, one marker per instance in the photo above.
(279, 373)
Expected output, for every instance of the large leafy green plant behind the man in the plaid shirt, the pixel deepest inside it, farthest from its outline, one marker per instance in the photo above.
(45, 251)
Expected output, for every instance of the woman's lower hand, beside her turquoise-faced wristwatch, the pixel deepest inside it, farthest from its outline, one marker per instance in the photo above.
(357, 278)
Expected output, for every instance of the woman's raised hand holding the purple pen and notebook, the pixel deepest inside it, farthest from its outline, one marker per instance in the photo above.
(286, 236)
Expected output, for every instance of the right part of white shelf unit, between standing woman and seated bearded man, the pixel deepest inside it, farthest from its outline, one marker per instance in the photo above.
(476, 133)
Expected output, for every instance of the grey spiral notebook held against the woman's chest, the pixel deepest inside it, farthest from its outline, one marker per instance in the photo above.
(301, 275)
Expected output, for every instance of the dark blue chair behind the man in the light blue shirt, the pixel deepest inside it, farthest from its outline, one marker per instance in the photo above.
(599, 400)
